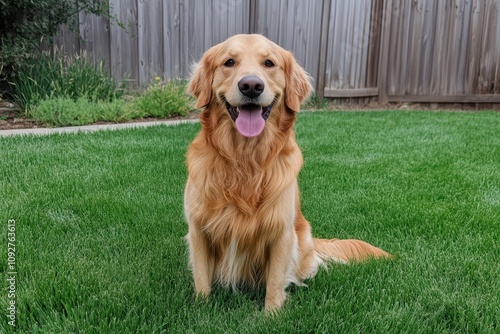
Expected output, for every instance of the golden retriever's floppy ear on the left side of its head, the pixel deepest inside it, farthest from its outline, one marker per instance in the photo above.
(200, 85)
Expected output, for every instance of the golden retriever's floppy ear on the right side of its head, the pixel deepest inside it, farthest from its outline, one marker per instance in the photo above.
(298, 85)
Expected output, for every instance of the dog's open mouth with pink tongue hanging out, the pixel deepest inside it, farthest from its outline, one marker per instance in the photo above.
(249, 118)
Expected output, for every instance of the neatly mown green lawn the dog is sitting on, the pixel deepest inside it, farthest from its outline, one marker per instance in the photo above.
(99, 230)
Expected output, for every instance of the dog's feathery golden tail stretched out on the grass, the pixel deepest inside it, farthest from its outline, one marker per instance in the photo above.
(347, 250)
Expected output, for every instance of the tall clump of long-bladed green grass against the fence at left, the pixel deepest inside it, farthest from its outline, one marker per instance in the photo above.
(58, 75)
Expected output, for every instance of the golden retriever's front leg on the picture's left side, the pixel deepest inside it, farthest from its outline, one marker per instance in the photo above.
(202, 263)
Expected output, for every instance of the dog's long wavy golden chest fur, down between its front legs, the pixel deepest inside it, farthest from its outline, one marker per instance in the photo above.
(242, 208)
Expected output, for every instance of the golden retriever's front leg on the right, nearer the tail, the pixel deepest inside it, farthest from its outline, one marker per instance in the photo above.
(280, 262)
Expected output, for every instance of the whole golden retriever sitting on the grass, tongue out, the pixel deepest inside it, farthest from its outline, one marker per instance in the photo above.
(242, 199)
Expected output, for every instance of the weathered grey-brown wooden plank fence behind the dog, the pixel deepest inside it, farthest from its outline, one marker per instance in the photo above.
(392, 50)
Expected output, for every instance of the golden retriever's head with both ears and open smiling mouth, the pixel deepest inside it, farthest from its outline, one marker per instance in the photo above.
(250, 77)
